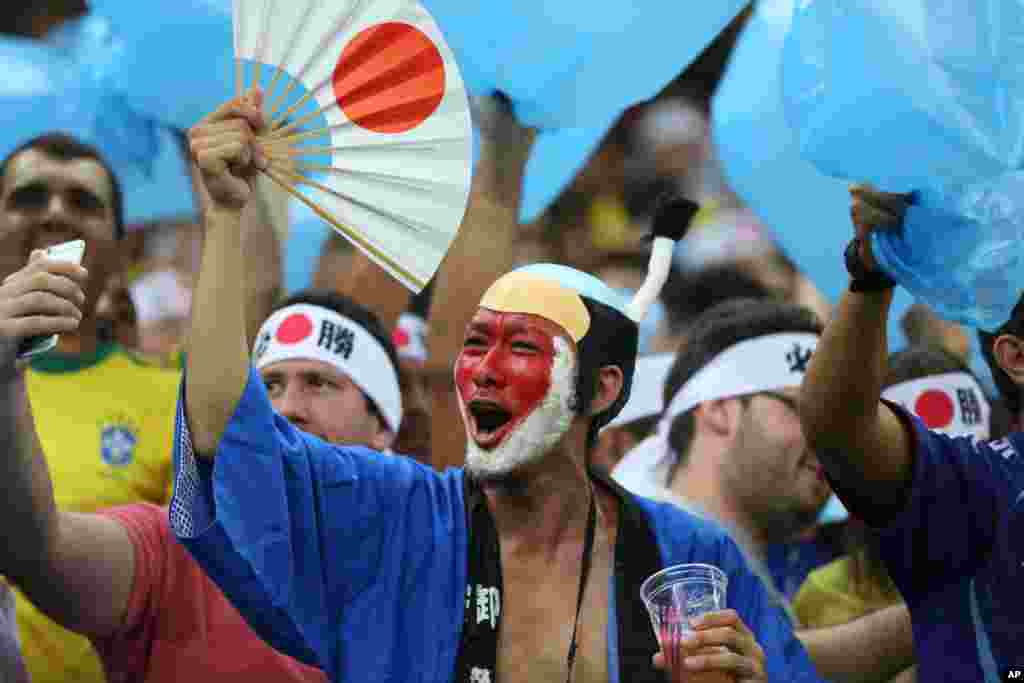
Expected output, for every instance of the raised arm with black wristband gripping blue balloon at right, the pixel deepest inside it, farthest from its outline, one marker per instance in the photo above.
(862, 443)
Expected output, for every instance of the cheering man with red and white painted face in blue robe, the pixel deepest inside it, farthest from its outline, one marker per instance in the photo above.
(521, 567)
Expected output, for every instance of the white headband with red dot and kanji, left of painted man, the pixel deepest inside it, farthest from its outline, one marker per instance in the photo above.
(313, 333)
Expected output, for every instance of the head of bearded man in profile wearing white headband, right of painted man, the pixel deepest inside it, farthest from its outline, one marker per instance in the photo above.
(731, 443)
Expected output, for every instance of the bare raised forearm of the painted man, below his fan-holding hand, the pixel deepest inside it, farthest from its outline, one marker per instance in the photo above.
(219, 353)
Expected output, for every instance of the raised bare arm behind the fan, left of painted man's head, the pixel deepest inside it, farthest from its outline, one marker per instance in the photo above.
(482, 253)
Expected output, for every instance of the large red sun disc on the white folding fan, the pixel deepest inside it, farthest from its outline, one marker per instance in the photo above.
(391, 78)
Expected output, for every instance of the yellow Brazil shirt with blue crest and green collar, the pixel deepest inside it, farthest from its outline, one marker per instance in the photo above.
(107, 426)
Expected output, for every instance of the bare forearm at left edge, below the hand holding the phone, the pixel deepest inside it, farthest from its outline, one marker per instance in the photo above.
(28, 514)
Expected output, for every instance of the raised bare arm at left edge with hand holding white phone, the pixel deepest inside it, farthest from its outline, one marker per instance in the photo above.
(76, 568)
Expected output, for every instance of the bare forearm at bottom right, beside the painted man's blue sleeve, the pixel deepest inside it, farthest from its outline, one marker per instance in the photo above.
(875, 648)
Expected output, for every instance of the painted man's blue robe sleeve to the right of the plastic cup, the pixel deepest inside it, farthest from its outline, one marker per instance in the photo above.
(786, 659)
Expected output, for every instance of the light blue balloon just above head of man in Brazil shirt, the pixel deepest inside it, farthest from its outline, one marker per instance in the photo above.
(63, 84)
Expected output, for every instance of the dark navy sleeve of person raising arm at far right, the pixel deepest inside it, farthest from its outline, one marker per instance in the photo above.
(949, 525)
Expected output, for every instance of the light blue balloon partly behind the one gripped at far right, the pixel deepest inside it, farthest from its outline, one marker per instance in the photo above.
(807, 212)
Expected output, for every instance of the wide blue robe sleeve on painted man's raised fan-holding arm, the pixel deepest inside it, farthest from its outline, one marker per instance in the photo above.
(259, 519)
